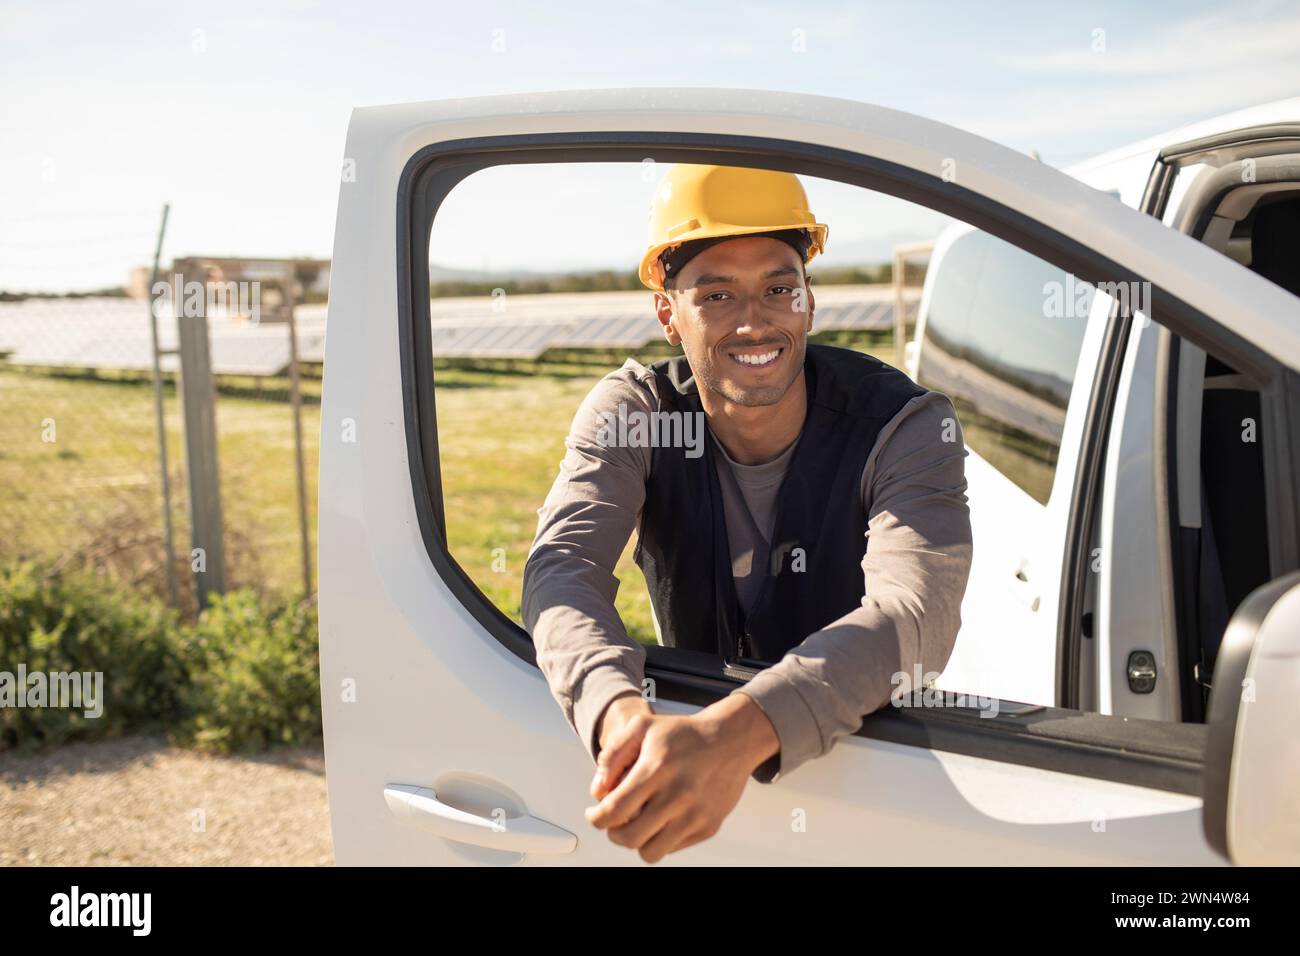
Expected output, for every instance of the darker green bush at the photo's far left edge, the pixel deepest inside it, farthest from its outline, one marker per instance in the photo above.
(80, 624)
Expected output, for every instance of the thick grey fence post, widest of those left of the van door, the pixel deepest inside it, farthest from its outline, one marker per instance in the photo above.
(198, 403)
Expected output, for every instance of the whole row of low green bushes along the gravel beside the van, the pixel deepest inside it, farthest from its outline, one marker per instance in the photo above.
(244, 678)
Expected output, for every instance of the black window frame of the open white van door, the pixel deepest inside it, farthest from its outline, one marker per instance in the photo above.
(1168, 758)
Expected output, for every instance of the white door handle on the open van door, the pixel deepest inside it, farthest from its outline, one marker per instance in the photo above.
(422, 808)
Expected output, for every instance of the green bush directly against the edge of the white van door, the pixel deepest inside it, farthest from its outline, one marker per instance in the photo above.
(254, 676)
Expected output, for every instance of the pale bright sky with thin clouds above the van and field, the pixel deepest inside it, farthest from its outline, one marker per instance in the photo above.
(236, 114)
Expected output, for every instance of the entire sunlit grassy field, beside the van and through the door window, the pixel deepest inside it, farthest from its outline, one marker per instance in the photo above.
(96, 490)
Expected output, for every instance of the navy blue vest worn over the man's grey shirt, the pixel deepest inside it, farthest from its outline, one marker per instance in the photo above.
(814, 576)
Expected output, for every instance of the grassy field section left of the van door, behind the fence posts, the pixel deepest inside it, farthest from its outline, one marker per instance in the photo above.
(80, 477)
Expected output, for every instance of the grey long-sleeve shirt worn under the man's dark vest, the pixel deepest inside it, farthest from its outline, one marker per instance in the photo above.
(915, 572)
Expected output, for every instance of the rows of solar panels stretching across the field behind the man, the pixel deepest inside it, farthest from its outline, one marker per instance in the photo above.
(114, 334)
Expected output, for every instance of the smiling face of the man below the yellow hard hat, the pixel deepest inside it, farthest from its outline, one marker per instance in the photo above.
(742, 312)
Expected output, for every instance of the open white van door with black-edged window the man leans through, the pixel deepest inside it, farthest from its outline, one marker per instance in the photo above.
(443, 741)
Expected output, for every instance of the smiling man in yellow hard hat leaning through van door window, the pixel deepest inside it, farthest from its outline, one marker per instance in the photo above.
(821, 526)
